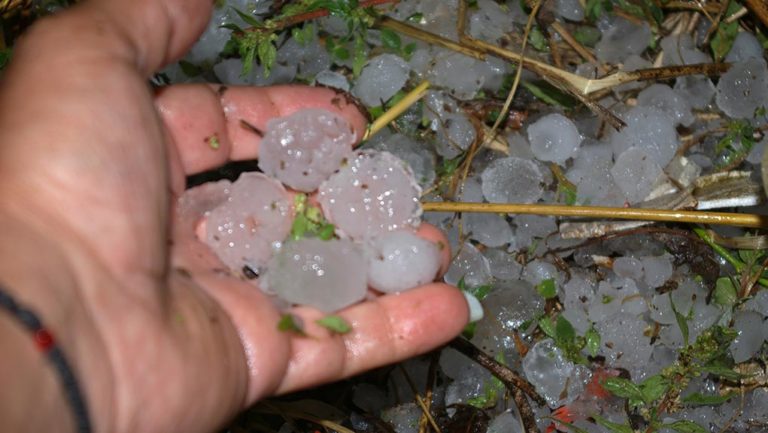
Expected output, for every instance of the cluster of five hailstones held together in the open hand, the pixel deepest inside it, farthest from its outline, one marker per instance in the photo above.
(371, 198)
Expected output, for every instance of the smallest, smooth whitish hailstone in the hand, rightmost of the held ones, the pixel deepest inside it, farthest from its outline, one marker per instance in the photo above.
(401, 260)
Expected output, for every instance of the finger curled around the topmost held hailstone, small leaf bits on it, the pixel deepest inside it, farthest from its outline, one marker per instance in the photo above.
(234, 117)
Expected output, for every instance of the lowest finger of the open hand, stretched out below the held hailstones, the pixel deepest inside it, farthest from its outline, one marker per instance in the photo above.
(389, 329)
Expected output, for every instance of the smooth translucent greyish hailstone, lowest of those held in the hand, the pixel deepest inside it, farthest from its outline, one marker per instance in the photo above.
(328, 275)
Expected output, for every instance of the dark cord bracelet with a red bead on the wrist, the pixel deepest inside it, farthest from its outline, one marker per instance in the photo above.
(45, 342)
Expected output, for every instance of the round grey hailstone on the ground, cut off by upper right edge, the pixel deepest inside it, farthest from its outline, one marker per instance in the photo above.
(743, 89)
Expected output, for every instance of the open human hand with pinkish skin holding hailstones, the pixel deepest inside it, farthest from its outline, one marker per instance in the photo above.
(90, 166)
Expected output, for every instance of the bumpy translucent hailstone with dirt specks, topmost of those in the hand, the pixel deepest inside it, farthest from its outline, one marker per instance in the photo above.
(304, 149)
